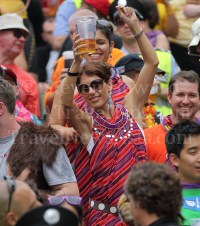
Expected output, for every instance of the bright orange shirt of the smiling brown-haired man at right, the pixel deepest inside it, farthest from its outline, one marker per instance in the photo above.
(155, 143)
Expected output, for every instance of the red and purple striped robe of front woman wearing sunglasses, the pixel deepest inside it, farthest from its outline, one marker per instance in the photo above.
(116, 150)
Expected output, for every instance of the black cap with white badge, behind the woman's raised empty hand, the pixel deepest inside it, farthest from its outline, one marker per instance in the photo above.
(138, 7)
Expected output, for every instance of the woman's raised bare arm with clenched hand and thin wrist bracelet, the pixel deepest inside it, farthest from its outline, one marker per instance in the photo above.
(135, 99)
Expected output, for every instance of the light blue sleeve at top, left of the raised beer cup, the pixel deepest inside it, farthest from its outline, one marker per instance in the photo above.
(65, 10)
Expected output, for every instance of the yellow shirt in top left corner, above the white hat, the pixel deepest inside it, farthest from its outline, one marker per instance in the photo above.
(13, 6)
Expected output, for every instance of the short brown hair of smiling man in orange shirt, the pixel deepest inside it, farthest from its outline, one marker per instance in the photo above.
(189, 76)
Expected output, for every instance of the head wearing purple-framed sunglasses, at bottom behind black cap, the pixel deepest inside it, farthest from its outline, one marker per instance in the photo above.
(71, 203)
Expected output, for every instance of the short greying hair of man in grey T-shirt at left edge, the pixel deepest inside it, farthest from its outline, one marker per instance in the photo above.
(7, 95)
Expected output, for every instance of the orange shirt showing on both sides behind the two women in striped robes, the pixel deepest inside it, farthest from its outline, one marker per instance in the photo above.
(59, 65)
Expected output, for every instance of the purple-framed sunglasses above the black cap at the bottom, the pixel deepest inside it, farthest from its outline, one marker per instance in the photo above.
(57, 200)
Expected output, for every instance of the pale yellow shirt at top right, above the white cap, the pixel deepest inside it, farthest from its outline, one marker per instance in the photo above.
(185, 25)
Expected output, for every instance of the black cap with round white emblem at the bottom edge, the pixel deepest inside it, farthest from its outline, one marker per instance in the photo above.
(48, 215)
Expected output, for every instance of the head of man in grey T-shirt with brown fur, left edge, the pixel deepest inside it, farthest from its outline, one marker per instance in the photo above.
(7, 99)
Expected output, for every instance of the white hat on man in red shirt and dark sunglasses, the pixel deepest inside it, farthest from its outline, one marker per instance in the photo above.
(10, 21)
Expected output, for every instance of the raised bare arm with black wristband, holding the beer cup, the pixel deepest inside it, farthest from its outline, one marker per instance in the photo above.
(78, 119)
